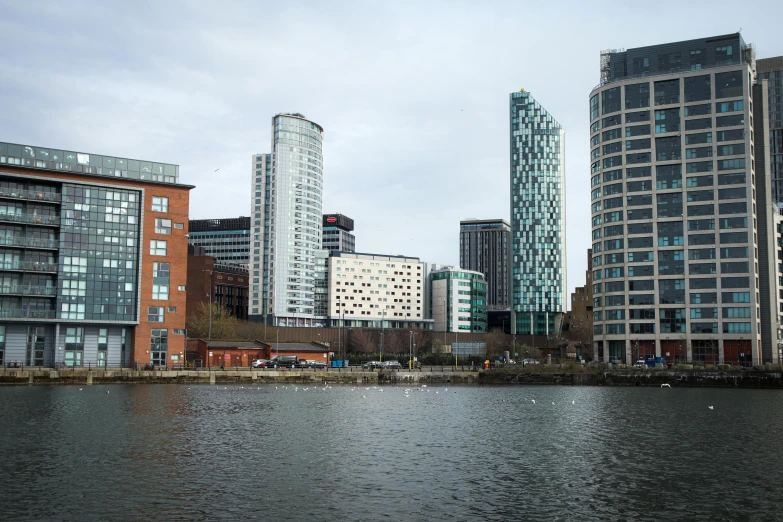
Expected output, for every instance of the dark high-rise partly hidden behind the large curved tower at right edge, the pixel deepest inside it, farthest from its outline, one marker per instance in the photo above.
(771, 69)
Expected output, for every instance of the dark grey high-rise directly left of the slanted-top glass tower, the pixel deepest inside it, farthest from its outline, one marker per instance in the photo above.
(484, 246)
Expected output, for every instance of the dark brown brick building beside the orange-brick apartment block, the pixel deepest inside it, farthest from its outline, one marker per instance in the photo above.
(228, 283)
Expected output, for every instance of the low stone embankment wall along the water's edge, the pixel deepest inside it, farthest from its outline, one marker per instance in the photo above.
(445, 375)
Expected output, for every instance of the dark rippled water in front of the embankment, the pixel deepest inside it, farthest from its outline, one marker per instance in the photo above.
(168, 452)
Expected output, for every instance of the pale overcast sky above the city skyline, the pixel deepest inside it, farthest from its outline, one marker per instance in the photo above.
(413, 96)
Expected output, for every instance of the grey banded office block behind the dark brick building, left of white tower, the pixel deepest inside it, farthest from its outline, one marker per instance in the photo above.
(227, 240)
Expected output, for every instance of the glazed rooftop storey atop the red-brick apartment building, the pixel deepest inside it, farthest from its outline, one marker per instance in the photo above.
(87, 163)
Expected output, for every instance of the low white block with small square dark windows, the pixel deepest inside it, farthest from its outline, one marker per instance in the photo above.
(374, 291)
